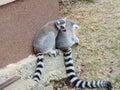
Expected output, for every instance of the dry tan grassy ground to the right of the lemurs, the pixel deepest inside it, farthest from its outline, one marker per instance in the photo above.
(98, 55)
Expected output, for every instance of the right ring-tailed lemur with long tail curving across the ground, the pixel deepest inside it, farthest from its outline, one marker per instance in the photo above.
(64, 41)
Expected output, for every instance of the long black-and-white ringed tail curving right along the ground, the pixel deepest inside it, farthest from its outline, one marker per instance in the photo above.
(76, 81)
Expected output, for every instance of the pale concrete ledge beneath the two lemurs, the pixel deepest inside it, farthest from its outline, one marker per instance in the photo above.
(54, 69)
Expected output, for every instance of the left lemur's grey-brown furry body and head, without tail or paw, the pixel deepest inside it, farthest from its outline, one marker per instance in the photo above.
(44, 40)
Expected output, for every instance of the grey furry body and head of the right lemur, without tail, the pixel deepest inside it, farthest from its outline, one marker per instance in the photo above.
(67, 39)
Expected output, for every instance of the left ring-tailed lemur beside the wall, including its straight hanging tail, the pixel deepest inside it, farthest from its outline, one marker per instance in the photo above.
(44, 43)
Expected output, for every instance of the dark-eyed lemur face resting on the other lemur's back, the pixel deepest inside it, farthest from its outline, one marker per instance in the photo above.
(60, 24)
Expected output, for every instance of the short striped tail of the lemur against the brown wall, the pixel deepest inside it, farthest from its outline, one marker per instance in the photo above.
(39, 67)
